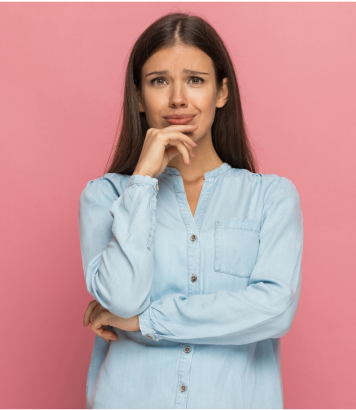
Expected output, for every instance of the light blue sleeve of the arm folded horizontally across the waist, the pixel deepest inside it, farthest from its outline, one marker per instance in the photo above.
(265, 309)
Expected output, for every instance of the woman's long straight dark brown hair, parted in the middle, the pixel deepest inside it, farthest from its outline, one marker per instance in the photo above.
(229, 134)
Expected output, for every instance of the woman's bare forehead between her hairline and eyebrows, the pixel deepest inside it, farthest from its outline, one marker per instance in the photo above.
(178, 58)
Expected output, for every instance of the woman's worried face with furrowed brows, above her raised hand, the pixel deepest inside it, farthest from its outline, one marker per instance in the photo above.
(187, 86)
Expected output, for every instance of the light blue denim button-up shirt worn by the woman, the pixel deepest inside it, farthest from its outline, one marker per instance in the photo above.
(214, 292)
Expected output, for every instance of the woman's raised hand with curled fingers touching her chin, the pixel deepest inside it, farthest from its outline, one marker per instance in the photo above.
(155, 155)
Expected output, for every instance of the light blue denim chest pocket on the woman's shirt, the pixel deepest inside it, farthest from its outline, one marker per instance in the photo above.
(236, 244)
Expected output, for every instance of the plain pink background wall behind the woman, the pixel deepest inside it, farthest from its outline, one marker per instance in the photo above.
(61, 80)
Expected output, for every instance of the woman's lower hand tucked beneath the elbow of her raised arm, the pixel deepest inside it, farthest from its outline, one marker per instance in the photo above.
(98, 316)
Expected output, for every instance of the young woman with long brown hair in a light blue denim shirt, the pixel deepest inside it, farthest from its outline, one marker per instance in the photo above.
(193, 258)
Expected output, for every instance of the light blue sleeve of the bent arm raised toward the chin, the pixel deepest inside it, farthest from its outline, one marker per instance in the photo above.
(116, 238)
